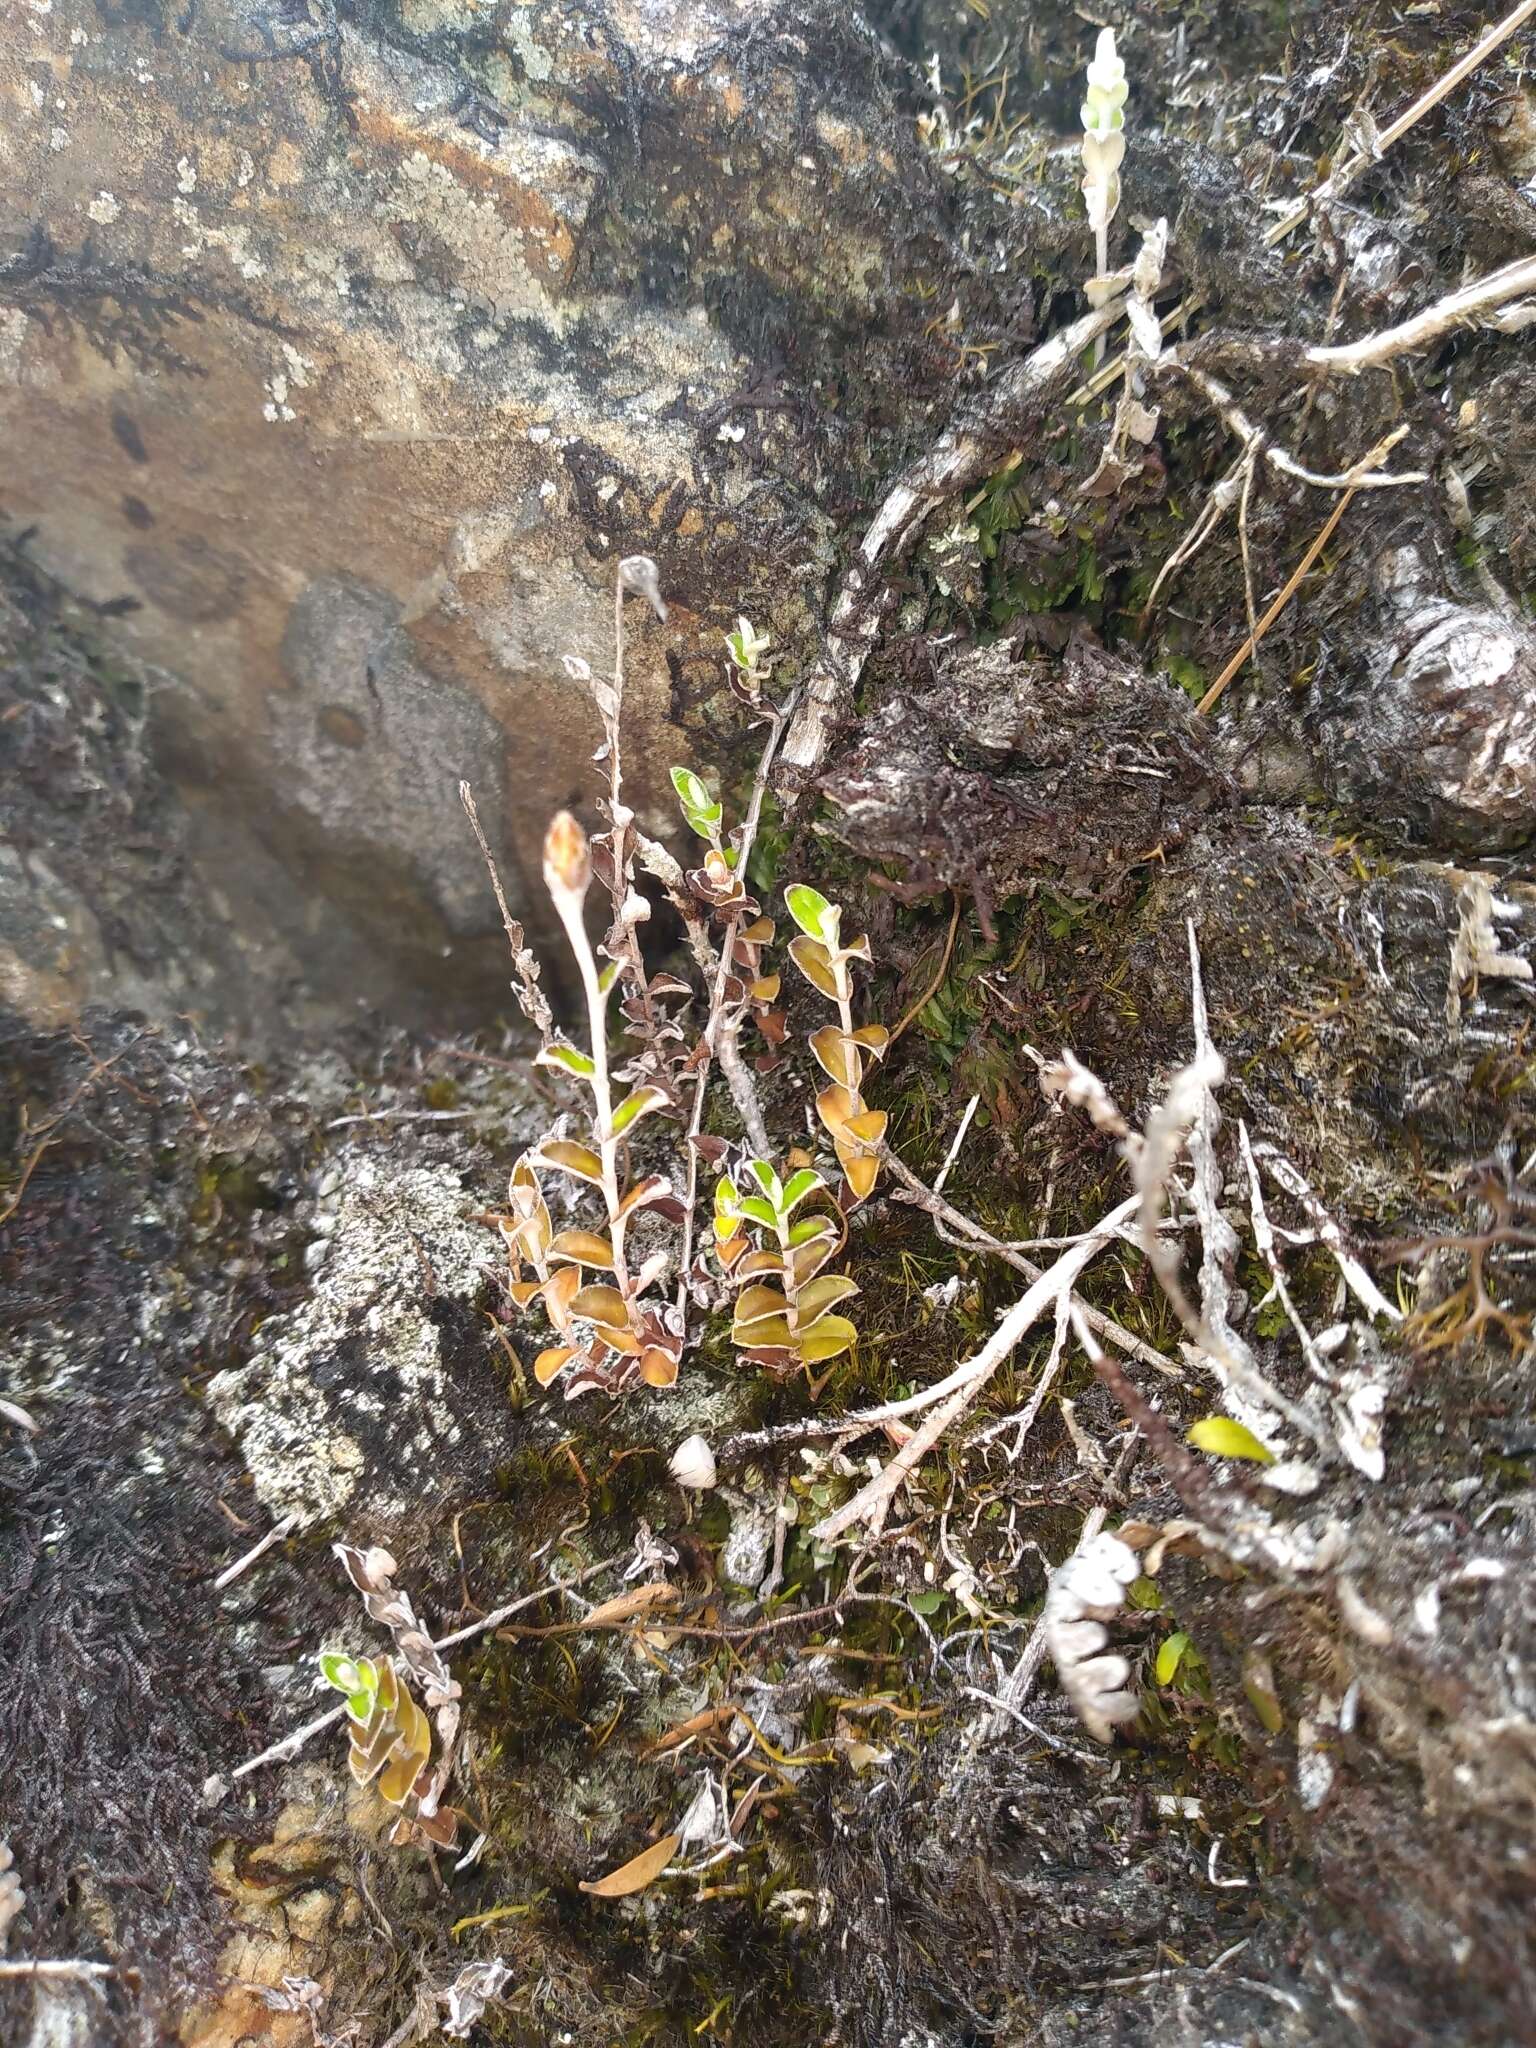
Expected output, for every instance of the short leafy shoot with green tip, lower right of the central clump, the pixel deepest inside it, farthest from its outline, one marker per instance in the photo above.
(785, 1302)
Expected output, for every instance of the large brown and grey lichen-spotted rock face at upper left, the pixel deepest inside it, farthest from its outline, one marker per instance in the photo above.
(345, 351)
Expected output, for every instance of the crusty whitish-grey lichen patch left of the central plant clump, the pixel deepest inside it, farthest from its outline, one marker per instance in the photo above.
(349, 1392)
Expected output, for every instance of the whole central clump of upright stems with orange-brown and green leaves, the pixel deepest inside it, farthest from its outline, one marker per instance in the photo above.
(609, 1320)
